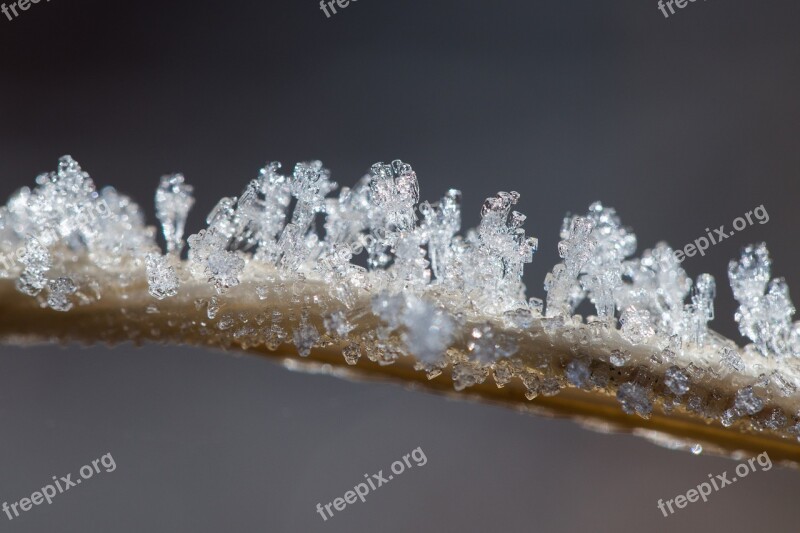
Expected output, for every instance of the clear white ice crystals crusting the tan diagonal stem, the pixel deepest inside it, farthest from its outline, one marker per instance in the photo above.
(383, 276)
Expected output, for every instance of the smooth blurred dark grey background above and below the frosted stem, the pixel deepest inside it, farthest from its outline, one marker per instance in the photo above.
(681, 123)
